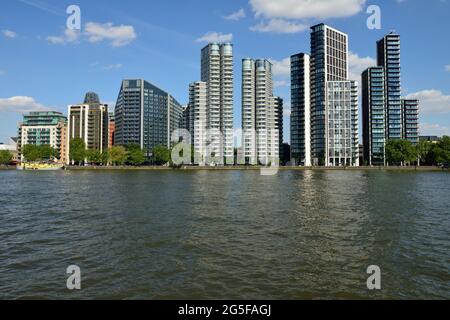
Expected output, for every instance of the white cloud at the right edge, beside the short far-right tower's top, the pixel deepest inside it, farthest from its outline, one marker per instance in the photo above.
(432, 101)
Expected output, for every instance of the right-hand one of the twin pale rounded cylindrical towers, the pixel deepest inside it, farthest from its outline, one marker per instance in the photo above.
(260, 123)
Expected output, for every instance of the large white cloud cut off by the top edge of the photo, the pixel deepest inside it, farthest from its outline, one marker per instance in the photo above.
(306, 9)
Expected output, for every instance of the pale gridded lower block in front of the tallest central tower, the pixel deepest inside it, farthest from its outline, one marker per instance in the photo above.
(342, 134)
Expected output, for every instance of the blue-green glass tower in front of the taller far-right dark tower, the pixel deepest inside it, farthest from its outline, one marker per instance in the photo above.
(374, 116)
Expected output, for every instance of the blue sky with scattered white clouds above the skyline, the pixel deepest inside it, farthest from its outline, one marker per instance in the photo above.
(45, 66)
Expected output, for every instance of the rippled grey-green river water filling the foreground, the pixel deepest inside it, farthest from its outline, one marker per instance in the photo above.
(224, 235)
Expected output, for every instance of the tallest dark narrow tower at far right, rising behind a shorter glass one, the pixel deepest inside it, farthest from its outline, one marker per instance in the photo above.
(388, 57)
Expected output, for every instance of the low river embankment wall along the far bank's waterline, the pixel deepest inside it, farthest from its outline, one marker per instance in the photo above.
(244, 168)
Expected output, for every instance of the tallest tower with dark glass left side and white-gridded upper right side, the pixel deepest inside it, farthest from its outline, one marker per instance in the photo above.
(329, 62)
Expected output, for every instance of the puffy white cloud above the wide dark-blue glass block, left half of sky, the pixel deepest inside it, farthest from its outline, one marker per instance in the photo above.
(118, 35)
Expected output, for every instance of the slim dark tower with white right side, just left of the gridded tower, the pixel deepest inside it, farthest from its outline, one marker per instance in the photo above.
(300, 110)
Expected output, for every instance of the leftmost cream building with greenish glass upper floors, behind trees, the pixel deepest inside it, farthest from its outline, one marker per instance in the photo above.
(43, 128)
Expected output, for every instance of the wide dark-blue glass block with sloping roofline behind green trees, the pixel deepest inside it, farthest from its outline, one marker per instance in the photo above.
(145, 115)
